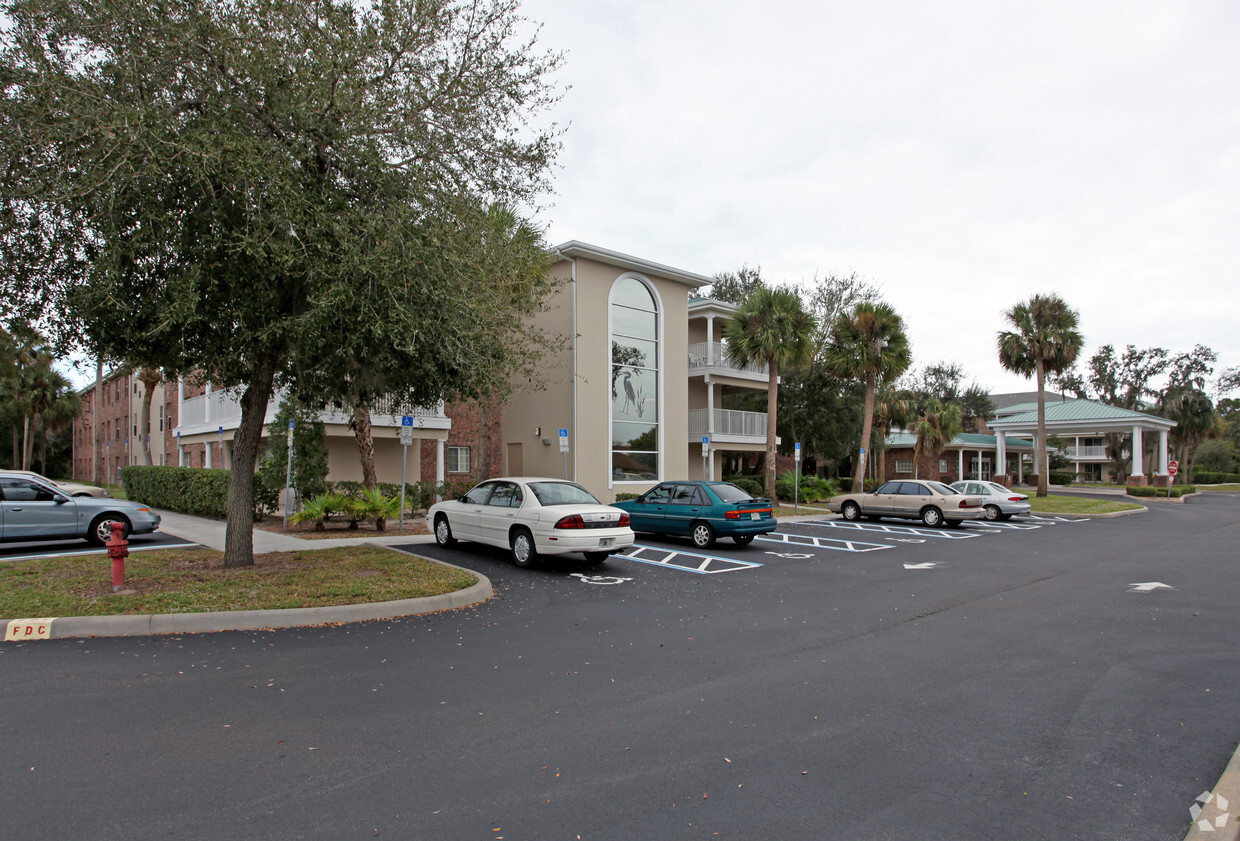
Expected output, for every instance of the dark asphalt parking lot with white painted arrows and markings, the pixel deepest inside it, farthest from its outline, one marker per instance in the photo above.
(1072, 680)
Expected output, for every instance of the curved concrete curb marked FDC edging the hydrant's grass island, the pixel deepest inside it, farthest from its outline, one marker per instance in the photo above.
(210, 623)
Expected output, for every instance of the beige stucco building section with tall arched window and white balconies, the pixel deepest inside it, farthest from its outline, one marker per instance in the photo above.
(639, 384)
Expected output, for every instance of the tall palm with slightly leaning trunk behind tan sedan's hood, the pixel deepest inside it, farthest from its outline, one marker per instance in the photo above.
(869, 344)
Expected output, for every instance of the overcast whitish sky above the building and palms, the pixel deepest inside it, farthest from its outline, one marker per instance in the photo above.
(962, 157)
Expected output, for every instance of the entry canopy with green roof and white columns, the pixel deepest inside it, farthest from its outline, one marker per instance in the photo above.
(1083, 417)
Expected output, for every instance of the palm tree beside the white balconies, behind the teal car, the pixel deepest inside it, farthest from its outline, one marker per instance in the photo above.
(771, 327)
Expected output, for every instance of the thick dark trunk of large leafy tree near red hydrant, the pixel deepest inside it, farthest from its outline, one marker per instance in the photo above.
(240, 508)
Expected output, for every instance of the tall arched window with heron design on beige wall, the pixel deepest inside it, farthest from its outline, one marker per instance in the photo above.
(634, 381)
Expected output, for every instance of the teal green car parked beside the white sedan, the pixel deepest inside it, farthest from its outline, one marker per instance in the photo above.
(701, 510)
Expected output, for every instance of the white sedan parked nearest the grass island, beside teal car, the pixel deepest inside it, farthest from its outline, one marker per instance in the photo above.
(533, 518)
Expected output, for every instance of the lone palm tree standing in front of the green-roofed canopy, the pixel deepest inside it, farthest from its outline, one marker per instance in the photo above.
(1045, 342)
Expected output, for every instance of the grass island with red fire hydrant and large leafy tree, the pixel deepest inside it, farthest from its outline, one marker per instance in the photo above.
(194, 581)
